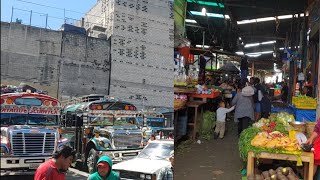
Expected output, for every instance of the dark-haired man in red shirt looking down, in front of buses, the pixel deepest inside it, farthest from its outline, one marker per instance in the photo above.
(55, 168)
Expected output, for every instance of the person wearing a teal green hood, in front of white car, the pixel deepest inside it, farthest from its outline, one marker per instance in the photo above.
(104, 166)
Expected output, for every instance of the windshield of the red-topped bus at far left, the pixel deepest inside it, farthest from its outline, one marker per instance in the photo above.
(28, 119)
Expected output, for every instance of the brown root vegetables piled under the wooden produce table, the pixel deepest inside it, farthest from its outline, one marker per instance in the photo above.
(279, 174)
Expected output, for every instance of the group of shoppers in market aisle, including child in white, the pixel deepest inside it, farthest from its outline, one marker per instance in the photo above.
(249, 98)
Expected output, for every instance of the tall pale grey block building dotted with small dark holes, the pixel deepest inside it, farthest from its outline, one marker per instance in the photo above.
(142, 41)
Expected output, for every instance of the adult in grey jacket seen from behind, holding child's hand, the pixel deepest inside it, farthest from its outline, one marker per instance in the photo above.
(244, 111)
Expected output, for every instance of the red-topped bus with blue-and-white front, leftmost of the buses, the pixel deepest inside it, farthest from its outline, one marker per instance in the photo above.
(29, 130)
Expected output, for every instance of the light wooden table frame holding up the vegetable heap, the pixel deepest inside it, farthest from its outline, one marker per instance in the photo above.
(306, 158)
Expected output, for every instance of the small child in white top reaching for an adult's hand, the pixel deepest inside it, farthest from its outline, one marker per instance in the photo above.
(221, 120)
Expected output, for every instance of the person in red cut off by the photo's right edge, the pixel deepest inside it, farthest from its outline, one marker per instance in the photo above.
(315, 140)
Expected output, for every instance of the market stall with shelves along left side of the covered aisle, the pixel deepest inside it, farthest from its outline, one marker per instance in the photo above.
(190, 98)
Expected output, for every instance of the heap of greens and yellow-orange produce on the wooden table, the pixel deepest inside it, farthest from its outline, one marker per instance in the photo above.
(269, 135)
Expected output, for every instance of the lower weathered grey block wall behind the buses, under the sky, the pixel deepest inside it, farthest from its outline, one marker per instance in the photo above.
(63, 64)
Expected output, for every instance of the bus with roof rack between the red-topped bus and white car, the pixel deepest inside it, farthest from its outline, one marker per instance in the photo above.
(101, 125)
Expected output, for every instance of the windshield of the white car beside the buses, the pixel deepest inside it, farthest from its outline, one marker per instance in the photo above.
(156, 151)
